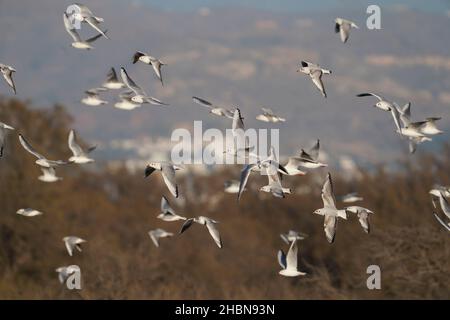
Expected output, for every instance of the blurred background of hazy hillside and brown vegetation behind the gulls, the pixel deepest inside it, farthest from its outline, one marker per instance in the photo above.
(241, 53)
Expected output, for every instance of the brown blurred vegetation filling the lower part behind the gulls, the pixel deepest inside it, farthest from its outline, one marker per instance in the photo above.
(114, 211)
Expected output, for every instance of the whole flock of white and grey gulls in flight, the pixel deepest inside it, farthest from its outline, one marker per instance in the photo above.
(305, 160)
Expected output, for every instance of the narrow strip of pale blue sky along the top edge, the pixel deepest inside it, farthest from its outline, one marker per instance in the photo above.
(298, 6)
